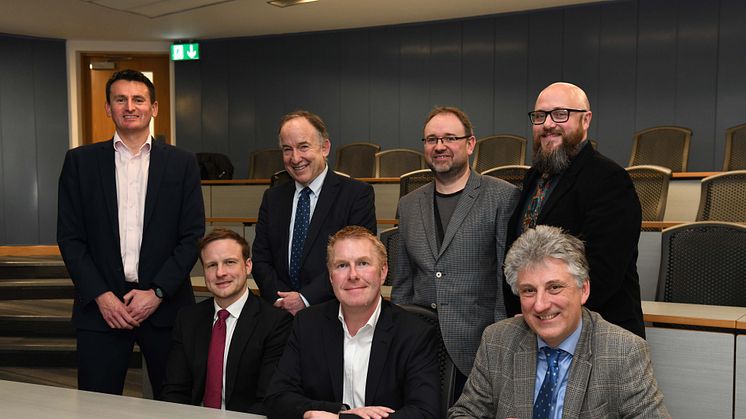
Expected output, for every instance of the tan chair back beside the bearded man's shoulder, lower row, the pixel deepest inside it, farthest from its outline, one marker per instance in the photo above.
(651, 185)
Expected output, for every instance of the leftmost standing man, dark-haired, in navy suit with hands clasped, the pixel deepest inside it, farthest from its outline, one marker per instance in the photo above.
(130, 214)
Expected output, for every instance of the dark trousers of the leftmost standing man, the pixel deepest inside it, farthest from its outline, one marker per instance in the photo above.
(103, 357)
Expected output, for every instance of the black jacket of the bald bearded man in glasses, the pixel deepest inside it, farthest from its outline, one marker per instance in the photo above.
(595, 201)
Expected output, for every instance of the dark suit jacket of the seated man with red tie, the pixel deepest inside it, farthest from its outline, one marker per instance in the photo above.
(256, 346)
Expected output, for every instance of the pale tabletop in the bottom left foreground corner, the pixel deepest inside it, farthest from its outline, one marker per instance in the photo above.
(22, 400)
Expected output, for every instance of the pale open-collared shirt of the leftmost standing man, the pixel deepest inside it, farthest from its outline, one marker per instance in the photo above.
(132, 186)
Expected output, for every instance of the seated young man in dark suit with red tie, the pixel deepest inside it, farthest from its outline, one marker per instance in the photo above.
(229, 369)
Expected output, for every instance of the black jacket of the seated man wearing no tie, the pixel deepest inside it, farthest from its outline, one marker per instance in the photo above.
(402, 371)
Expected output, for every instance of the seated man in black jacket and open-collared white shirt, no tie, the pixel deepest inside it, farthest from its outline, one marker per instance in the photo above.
(361, 355)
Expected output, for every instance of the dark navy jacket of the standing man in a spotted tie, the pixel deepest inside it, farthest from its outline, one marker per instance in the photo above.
(342, 202)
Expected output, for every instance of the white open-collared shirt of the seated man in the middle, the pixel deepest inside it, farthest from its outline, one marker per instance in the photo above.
(357, 358)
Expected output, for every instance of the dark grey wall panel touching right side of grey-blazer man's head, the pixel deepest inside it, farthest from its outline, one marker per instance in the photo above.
(477, 81)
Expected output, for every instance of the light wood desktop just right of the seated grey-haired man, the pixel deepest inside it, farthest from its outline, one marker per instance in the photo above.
(693, 314)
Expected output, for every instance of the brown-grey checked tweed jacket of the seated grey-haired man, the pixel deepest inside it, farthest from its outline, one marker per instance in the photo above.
(610, 376)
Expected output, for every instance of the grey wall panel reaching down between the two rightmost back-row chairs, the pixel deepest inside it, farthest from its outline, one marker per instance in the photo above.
(696, 79)
